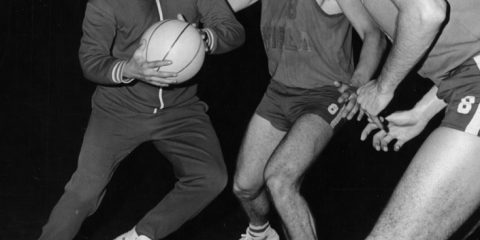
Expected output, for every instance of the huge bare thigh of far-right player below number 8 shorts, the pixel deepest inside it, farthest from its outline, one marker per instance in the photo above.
(437, 193)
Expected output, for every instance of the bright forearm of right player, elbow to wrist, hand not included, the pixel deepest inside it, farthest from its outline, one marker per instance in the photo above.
(418, 24)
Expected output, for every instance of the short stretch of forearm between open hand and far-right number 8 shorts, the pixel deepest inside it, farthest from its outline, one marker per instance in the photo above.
(429, 105)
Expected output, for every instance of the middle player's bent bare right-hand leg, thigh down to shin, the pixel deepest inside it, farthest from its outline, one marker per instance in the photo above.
(285, 170)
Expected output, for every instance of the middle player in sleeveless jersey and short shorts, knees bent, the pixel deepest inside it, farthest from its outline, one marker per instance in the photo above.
(308, 45)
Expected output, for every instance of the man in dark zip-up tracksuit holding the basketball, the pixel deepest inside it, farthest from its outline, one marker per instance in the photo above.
(134, 103)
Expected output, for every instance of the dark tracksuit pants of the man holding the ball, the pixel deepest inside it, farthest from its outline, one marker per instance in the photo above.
(184, 135)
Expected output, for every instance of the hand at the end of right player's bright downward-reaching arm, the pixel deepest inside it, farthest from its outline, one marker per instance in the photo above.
(372, 98)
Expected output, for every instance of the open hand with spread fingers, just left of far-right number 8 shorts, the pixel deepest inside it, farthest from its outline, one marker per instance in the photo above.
(403, 126)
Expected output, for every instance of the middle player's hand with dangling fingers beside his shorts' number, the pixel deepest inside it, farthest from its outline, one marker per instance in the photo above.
(348, 94)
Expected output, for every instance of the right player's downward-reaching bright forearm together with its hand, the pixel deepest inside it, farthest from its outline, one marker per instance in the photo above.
(418, 23)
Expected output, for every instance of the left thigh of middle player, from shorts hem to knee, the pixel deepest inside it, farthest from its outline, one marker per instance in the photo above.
(258, 145)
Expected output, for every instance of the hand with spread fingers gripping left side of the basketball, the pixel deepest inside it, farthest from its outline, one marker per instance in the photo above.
(139, 68)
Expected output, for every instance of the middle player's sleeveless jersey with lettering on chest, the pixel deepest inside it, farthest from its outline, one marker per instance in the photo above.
(306, 48)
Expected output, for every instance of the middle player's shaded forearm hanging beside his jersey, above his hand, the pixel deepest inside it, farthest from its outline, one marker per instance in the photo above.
(374, 44)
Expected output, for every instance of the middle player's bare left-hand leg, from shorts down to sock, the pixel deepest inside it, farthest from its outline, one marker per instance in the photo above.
(260, 141)
